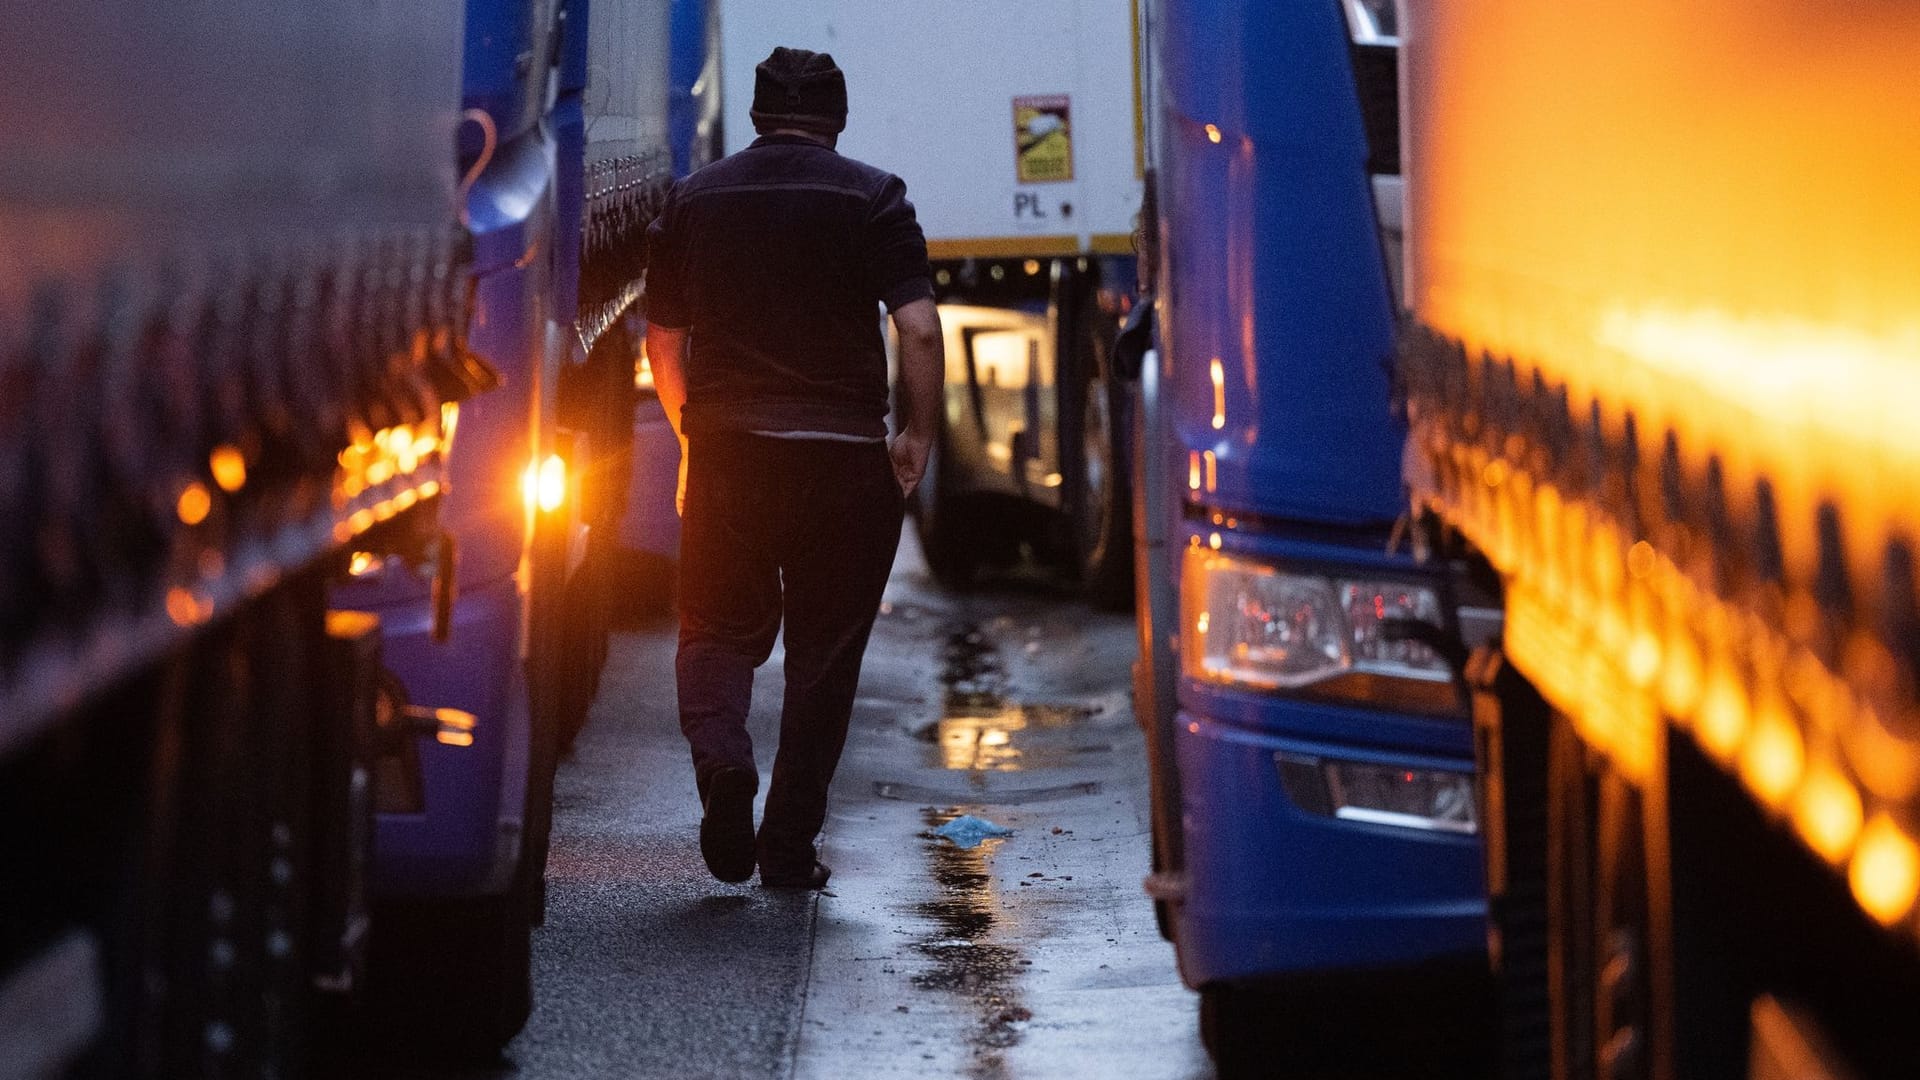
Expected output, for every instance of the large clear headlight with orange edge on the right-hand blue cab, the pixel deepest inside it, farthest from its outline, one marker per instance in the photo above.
(1266, 627)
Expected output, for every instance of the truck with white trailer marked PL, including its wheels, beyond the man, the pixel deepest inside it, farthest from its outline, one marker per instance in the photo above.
(1015, 130)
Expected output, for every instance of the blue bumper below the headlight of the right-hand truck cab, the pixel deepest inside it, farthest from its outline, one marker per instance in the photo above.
(1276, 891)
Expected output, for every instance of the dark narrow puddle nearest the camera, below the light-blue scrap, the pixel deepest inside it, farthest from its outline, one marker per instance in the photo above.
(965, 958)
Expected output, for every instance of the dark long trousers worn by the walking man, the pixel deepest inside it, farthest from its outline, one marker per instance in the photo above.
(780, 531)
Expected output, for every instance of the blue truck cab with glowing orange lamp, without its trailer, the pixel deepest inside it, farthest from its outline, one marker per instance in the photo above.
(466, 800)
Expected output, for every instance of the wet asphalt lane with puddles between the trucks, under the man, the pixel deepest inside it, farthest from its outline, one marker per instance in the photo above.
(1030, 956)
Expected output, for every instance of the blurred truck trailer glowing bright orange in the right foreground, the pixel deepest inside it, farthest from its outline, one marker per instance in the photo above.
(1660, 380)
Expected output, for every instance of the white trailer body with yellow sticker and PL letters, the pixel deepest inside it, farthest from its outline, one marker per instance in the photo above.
(1015, 124)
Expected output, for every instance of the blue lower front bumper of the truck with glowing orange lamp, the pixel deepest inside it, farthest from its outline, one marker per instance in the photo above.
(468, 839)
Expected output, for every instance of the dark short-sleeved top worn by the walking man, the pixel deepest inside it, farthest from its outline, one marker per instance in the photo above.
(777, 258)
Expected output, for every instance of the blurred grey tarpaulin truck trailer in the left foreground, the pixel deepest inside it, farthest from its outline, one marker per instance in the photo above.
(233, 322)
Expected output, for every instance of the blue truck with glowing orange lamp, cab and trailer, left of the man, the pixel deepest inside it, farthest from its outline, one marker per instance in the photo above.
(565, 153)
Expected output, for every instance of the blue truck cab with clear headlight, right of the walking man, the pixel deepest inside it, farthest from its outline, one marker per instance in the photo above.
(1312, 749)
